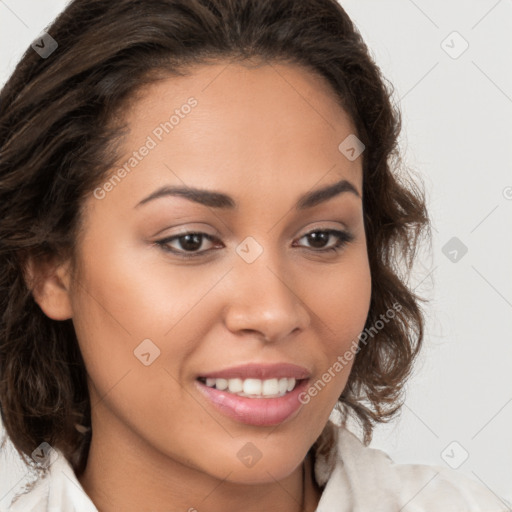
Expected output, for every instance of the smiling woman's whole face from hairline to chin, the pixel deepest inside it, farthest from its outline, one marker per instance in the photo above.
(259, 284)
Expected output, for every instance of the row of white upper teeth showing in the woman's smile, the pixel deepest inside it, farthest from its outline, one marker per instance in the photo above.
(254, 388)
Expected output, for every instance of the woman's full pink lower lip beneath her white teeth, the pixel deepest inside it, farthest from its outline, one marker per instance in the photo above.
(255, 411)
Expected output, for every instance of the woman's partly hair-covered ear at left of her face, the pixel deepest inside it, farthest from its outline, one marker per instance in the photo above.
(49, 283)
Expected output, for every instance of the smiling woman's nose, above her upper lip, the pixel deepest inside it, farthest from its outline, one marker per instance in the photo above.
(264, 301)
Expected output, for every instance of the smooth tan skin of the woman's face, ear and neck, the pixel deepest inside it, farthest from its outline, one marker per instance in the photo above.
(265, 136)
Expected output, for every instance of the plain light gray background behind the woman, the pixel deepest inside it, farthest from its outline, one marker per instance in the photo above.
(457, 134)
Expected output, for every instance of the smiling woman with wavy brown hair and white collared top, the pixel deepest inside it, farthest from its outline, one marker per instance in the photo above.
(201, 239)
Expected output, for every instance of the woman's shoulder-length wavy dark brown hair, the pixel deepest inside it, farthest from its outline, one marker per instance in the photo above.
(58, 141)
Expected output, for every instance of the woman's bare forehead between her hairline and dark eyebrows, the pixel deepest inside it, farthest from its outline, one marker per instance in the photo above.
(270, 125)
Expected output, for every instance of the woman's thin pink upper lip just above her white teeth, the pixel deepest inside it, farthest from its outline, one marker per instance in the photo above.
(260, 371)
